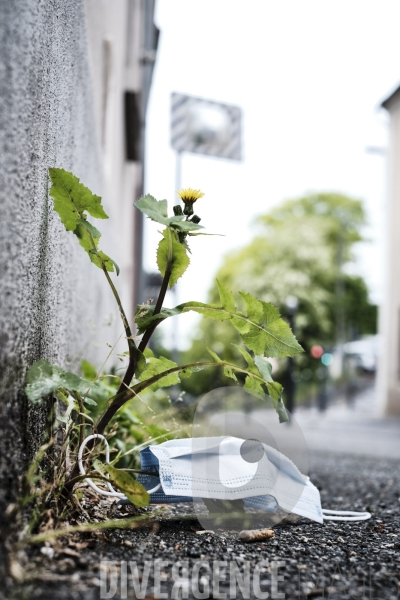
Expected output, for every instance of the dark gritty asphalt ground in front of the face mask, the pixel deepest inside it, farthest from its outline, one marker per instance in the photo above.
(336, 560)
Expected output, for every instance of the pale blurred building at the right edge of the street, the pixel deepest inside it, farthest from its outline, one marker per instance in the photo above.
(389, 363)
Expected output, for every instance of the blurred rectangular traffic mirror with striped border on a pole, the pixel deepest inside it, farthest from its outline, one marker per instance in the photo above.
(206, 127)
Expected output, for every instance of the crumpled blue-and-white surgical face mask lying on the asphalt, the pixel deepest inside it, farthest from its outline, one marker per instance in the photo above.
(227, 469)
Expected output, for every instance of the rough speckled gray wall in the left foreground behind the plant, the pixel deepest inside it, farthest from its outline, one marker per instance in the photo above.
(46, 119)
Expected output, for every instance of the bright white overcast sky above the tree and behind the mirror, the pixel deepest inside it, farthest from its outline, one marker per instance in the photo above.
(309, 76)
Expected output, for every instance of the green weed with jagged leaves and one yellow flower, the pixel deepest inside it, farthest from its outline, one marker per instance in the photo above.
(262, 331)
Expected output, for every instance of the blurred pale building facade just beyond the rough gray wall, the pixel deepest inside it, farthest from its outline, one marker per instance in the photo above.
(122, 43)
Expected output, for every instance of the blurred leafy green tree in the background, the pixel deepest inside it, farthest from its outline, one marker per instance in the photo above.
(302, 249)
